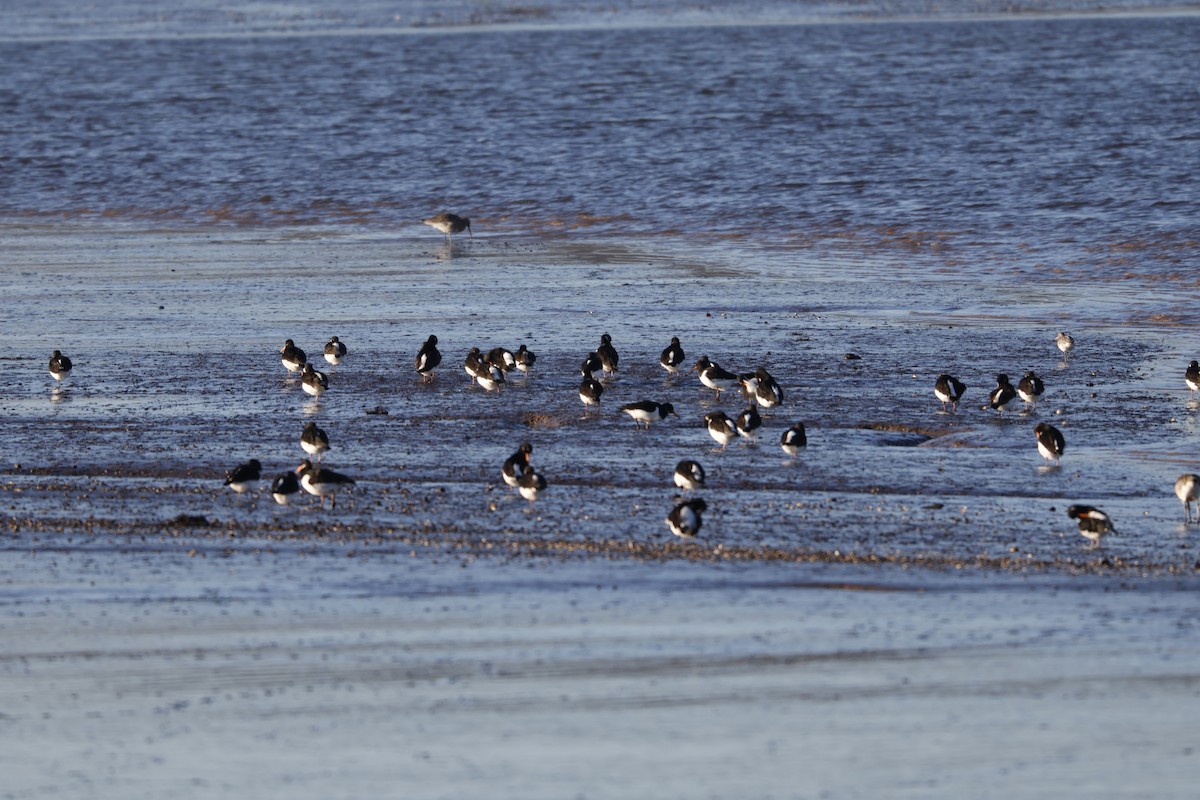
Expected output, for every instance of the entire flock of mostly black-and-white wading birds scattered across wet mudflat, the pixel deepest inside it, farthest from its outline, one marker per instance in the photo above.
(759, 388)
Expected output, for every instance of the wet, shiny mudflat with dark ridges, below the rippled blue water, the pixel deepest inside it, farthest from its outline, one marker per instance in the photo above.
(905, 609)
